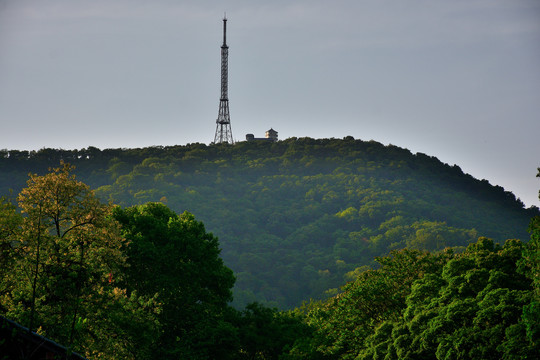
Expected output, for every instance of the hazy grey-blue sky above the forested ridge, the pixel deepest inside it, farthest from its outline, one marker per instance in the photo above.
(459, 80)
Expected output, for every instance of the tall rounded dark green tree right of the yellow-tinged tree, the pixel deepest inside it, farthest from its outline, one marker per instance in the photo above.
(173, 257)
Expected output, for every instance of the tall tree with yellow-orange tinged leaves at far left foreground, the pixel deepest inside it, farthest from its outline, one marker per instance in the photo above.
(67, 254)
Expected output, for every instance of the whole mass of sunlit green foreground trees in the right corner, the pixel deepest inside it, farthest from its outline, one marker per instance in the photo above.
(479, 304)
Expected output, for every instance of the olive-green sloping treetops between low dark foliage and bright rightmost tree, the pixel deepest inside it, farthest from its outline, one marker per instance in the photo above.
(376, 297)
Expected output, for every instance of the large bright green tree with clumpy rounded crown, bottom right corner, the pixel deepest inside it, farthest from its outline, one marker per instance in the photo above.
(470, 310)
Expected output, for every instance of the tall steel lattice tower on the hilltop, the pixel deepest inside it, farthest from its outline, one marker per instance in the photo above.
(223, 122)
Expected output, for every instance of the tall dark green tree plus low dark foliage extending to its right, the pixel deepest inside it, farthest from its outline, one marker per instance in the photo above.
(174, 259)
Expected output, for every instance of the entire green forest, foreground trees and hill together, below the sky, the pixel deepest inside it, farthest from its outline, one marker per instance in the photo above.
(145, 282)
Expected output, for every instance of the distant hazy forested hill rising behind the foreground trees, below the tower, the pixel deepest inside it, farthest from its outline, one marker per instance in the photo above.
(296, 217)
